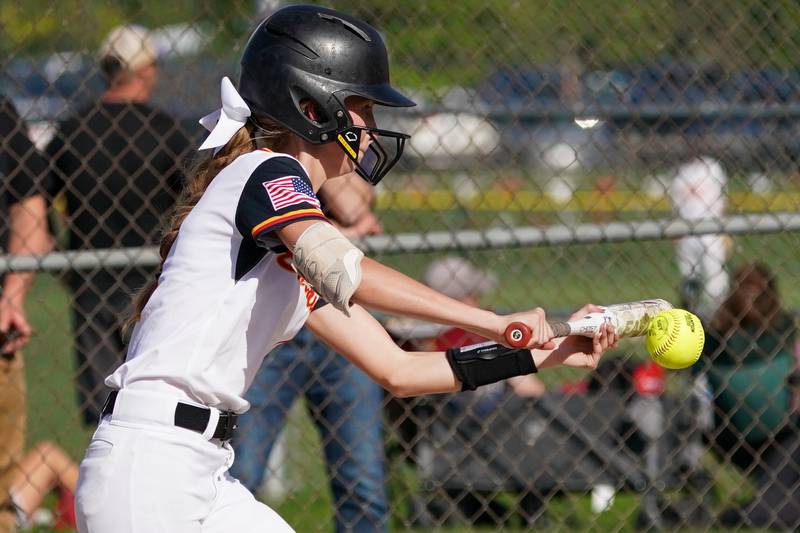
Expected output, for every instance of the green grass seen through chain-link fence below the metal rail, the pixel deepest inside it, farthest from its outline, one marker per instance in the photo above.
(555, 278)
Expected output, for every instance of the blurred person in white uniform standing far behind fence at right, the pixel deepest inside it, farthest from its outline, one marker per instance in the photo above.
(697, 193)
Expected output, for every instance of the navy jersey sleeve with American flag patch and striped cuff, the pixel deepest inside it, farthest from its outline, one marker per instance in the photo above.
(277, 193)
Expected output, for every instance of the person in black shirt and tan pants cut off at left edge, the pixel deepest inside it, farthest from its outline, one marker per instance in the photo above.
(23, 231)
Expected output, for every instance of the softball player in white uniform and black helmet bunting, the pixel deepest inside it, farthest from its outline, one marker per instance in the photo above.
(229, 291)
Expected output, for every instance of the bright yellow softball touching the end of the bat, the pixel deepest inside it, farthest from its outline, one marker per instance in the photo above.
(675, 339)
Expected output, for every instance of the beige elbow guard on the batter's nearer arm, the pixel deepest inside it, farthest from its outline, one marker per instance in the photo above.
(329, 263)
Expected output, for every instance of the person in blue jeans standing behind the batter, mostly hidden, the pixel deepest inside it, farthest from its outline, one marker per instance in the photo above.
(343, 402)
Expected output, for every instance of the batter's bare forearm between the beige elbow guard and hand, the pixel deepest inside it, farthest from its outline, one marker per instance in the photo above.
(385, 289)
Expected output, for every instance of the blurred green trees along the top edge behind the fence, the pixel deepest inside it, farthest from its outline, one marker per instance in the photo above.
(443, 42)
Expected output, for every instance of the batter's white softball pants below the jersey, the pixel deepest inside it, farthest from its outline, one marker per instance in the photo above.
(141, 474)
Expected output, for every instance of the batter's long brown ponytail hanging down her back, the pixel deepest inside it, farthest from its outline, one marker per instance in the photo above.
(199, 177)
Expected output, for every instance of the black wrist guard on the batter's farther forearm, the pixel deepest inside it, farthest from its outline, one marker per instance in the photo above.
(485, 363)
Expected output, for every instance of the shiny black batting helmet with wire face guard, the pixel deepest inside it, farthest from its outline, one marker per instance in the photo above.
(306, 52)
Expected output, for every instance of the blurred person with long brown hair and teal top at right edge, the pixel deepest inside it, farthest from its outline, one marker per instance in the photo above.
(749, 363)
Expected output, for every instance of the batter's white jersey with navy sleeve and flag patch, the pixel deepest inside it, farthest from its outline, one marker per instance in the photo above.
(227, 294)
